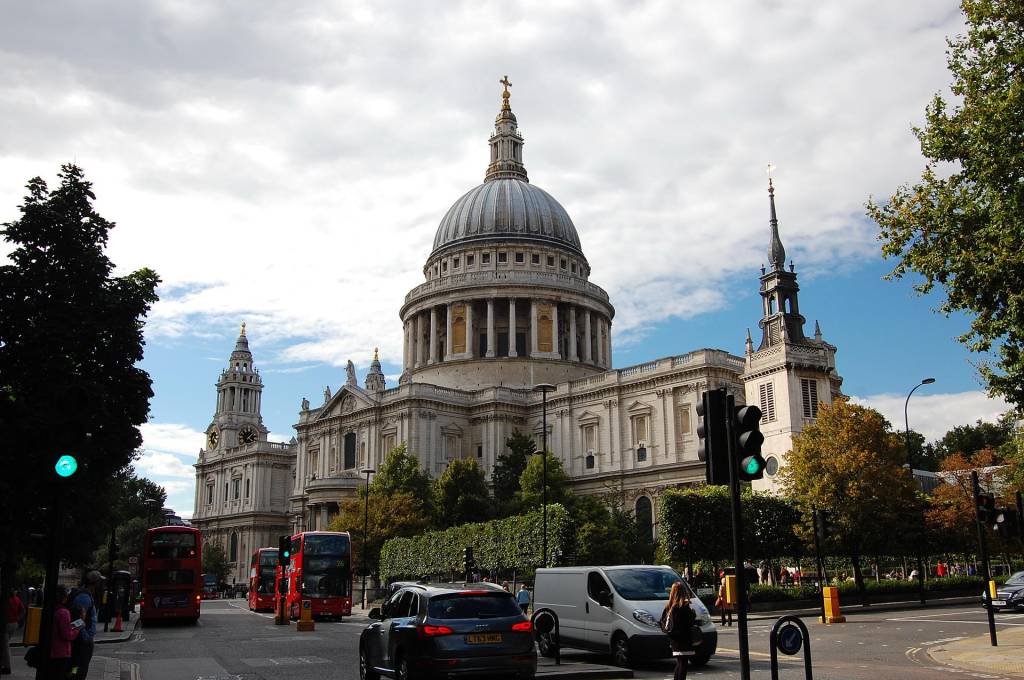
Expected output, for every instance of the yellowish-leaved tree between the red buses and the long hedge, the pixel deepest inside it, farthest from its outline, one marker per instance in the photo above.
(397, 515)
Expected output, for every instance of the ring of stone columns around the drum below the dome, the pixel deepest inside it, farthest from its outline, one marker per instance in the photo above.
(543, 329)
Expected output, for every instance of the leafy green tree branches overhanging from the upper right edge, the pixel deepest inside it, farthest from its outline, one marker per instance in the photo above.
(962, 226)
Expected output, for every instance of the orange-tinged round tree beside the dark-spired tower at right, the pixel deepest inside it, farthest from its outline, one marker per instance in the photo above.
(848, 464)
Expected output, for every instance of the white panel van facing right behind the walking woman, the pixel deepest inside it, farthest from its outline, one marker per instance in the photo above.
(617, 610)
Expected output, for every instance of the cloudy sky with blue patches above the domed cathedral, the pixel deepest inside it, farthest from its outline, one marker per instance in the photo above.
(286, 164)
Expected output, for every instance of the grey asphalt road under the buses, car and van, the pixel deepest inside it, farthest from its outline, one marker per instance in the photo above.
(233, 644)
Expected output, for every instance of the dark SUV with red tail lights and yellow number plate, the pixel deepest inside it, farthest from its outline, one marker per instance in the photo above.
(426, 630)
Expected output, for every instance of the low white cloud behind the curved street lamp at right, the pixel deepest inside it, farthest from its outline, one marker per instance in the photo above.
(934, 415)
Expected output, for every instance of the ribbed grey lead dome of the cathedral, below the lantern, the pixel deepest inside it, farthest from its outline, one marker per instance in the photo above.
(507, 208)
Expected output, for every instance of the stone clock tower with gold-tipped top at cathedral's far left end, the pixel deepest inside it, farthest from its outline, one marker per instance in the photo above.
(242, 480)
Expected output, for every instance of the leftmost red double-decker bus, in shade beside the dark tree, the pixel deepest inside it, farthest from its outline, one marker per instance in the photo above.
(172, 574)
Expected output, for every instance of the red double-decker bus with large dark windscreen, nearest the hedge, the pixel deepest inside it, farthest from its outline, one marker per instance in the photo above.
(320, 571)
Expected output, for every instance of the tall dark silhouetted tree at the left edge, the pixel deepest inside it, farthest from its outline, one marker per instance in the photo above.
(71, 342)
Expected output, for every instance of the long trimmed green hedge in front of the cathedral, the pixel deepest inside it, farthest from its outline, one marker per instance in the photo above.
(510, 543)
